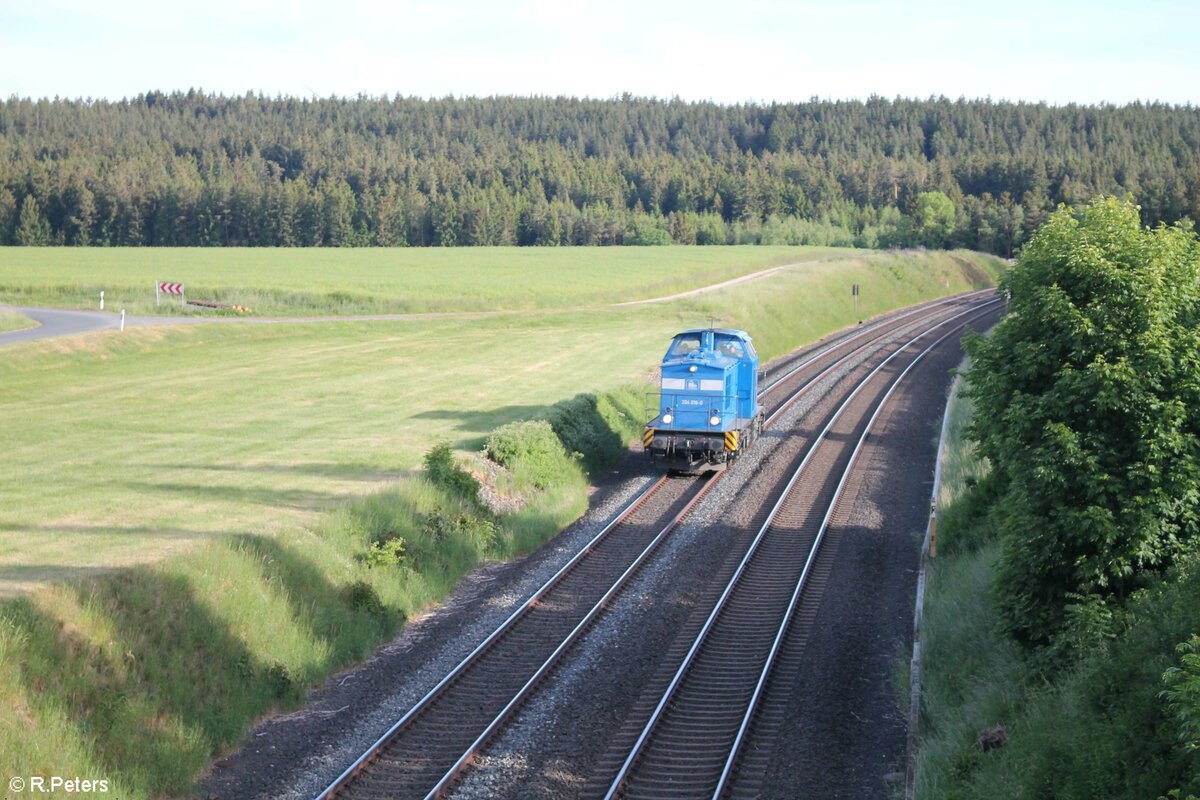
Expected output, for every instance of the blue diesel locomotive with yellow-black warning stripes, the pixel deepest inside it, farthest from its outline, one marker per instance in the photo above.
(709, 408)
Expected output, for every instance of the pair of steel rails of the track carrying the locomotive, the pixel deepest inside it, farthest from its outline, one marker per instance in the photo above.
(466, 663)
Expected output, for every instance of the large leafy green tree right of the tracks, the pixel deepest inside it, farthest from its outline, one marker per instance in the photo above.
(1089, 407)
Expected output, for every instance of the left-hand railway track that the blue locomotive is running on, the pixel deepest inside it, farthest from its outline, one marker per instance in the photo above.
(425, 751)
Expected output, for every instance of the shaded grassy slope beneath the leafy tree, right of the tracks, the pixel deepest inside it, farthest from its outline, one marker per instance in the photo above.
(1100, 731)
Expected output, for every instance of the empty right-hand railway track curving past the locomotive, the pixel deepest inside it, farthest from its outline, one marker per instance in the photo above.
(691, 743)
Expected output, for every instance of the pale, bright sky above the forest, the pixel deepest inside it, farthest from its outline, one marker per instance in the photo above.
(755, 51)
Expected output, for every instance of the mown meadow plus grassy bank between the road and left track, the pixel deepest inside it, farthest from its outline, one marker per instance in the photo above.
(236, 441)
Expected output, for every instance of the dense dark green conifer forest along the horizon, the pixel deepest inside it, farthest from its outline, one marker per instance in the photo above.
(193, 169)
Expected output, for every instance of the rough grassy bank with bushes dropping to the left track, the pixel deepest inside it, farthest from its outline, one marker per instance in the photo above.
(142, 676)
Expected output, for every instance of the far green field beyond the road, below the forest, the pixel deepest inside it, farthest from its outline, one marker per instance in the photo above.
(297, 282)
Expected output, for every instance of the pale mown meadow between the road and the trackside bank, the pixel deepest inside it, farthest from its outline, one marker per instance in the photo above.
(123, 449)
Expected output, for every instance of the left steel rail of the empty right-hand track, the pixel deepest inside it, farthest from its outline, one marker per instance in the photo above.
(742, 567)
